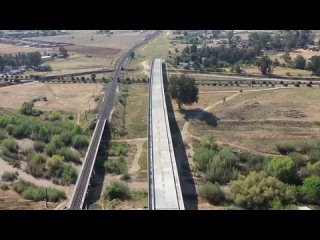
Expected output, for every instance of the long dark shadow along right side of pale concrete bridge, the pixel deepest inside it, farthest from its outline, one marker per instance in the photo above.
(187, 183)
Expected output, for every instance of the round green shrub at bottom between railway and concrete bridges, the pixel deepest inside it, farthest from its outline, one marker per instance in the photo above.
(117, 190)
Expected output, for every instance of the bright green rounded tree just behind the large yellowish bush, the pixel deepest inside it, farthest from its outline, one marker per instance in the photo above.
(283, 169)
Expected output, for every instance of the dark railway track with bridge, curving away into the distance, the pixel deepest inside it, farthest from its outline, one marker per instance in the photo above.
(81, 187)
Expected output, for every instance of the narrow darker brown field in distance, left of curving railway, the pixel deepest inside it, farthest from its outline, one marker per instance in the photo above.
(92, 50)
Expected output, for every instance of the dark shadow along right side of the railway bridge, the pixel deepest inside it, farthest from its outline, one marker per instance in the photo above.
(96, 182)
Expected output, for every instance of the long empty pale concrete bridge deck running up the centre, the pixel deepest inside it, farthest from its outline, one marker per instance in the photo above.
(164, 184)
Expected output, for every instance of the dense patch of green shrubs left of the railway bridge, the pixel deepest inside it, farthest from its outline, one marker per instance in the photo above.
(58, 144)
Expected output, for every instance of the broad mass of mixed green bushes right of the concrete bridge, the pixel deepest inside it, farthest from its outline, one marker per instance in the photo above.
(257, 182)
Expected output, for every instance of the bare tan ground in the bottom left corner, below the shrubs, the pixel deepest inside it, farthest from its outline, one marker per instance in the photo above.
(10, 200)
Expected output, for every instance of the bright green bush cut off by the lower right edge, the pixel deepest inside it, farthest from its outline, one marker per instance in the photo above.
(311, 189)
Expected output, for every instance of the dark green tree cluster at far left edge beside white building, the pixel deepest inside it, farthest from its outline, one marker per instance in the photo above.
(20, 59)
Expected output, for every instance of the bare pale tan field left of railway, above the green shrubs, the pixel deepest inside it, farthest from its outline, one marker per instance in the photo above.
(65, 97)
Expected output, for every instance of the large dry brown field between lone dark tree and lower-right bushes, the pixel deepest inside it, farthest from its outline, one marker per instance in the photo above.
(258, 120)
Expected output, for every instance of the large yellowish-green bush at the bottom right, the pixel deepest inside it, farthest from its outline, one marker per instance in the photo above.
(256, 190)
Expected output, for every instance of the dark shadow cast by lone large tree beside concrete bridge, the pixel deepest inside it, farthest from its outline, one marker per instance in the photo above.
(204, 116)
